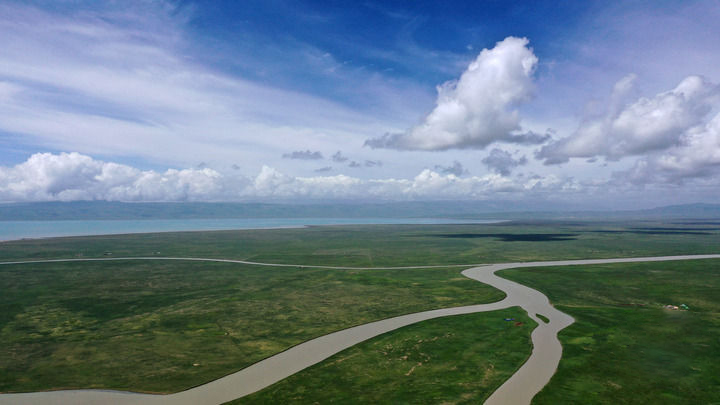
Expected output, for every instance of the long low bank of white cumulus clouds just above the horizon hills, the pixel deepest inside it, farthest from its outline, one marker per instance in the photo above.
(73, 176)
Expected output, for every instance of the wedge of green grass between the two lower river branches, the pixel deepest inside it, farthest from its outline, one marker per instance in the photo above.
(458, 359)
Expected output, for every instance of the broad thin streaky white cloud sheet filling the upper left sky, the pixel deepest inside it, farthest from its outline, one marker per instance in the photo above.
(126, 80)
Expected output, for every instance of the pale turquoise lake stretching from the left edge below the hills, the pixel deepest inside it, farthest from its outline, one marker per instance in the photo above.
(11, 230)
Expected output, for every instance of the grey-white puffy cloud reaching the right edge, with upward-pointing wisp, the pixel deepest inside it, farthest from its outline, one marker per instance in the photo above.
(643, 126)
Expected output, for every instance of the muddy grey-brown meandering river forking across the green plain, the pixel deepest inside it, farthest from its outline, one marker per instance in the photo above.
(520, 388)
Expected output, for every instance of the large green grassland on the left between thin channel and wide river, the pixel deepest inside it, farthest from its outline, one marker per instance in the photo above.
(164, 326)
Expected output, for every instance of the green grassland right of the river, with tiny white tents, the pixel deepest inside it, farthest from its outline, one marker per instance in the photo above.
(624, 347)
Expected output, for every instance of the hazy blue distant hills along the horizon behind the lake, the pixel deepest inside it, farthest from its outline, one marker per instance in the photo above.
(80, 210)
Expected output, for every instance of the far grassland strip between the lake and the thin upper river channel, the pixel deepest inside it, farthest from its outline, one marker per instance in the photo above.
(396, 245)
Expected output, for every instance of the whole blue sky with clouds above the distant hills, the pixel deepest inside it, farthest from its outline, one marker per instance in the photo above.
(593, 104)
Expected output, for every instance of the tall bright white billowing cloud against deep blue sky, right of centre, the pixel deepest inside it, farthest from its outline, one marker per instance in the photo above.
(478, 108)
